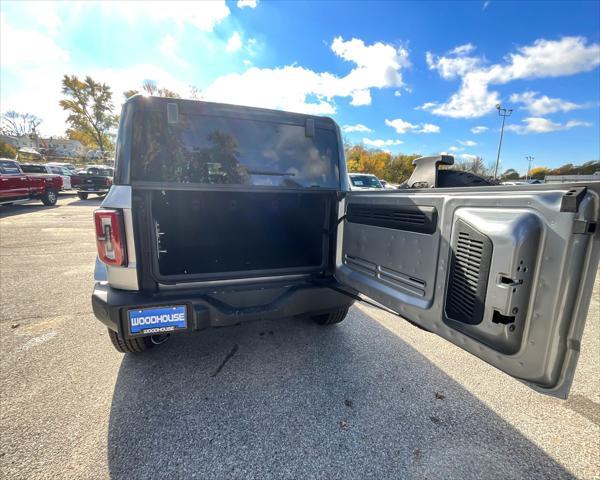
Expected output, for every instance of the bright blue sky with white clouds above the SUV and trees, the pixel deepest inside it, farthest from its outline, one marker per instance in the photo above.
(412, 77)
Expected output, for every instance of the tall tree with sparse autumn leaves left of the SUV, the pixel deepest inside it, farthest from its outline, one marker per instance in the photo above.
(90, 108)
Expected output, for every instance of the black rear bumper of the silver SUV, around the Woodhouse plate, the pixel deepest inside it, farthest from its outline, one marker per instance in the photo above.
(222, 308)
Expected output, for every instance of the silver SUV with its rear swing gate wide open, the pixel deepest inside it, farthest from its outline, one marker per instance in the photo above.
(222, 214)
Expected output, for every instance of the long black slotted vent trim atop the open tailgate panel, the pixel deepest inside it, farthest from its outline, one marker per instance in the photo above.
(419, 219)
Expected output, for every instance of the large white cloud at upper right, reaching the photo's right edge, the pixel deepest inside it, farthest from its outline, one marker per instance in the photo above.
(542, 59)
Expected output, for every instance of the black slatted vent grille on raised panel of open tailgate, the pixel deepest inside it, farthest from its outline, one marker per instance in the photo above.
(469, 272)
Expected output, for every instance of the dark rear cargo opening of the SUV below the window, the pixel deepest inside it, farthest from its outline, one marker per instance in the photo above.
(220, 234)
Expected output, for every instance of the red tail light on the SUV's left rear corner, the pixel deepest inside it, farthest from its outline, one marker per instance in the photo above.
(110, 236)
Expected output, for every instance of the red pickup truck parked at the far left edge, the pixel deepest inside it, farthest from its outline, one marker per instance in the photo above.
(17, 186)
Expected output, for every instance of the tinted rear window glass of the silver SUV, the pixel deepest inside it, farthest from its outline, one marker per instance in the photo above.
(231, 151)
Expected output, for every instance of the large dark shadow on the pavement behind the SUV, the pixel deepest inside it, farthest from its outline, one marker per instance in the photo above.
(296, 400)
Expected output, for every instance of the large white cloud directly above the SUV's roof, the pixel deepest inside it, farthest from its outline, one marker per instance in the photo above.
(299, 89)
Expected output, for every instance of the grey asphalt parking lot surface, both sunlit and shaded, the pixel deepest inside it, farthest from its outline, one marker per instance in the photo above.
(373, 397)
